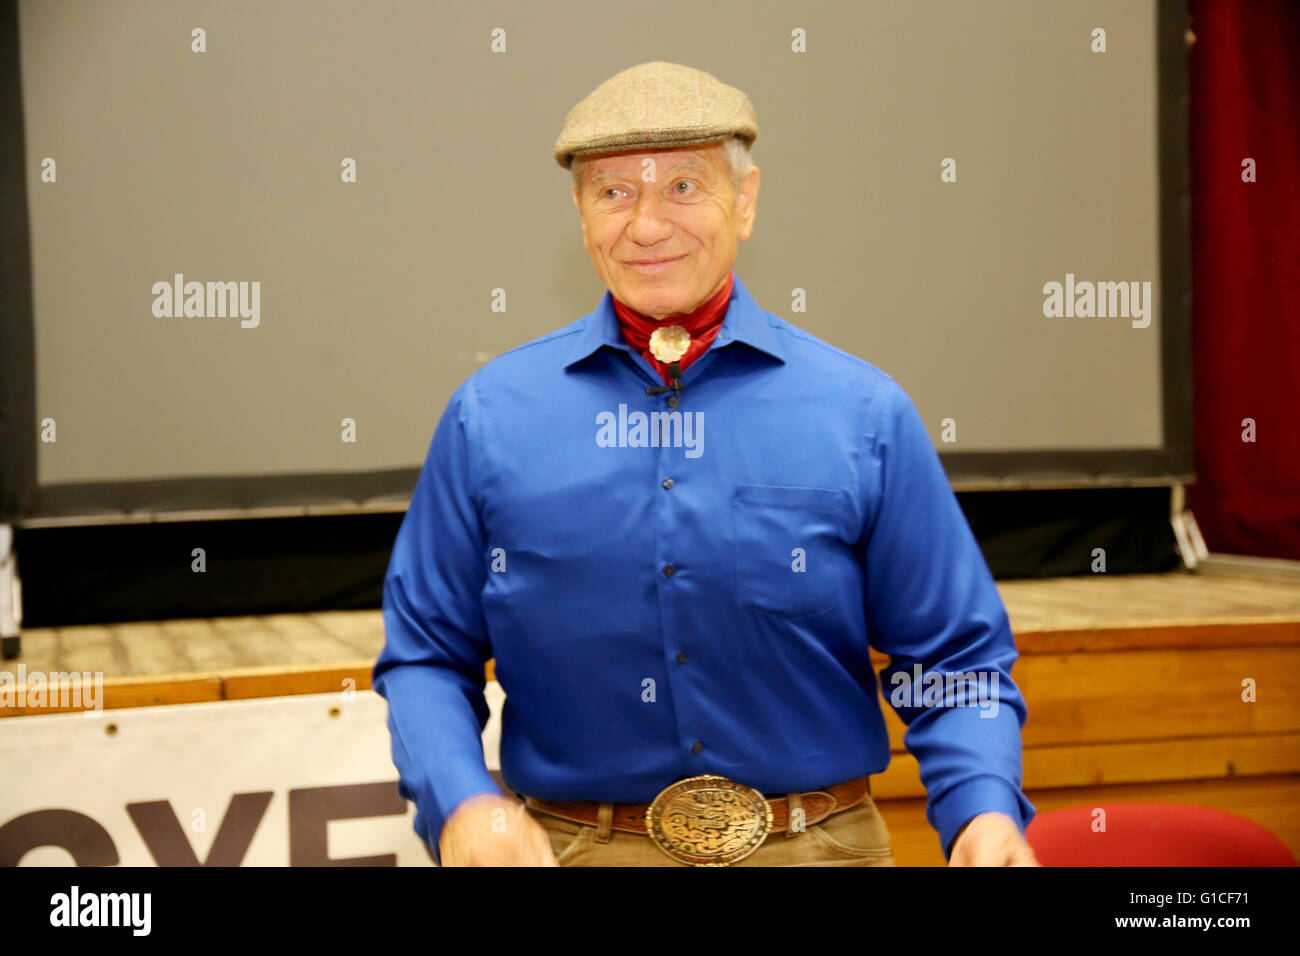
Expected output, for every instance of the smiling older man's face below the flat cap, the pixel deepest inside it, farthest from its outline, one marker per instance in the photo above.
(662, 226)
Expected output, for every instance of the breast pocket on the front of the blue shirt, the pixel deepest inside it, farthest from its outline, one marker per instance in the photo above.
(788, 553)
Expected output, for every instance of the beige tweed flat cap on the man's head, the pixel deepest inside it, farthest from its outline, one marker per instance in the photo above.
(656, 106)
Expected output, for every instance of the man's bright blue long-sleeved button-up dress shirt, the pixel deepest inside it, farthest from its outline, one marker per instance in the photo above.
(694, 594)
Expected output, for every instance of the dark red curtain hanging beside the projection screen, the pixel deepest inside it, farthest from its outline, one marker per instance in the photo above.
(1246, 274)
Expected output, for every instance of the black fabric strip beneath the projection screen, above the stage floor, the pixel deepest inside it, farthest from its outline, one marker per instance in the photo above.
(106, 574)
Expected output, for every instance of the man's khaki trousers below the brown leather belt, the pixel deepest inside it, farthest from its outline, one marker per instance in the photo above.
(851, 838)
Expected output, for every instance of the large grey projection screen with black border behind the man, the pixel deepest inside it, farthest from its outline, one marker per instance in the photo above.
(374, 185)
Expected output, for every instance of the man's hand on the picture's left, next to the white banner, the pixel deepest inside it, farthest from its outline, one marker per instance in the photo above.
(493, 830)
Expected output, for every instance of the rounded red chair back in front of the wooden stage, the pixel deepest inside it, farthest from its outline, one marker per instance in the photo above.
(1154, 836)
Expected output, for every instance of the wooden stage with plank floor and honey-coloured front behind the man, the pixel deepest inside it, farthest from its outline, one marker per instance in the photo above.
(1134, 687)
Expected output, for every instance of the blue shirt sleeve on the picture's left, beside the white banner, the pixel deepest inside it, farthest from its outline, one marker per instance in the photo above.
(436, 642)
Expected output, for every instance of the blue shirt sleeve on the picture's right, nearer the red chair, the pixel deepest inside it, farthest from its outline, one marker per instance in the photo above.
(931, 602)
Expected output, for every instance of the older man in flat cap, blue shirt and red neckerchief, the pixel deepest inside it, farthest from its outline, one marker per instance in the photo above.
(679, 525)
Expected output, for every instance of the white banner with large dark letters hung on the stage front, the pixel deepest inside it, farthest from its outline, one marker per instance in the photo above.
(272, 782)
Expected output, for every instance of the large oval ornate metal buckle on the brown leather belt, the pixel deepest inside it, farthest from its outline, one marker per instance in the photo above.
(709, 821)
